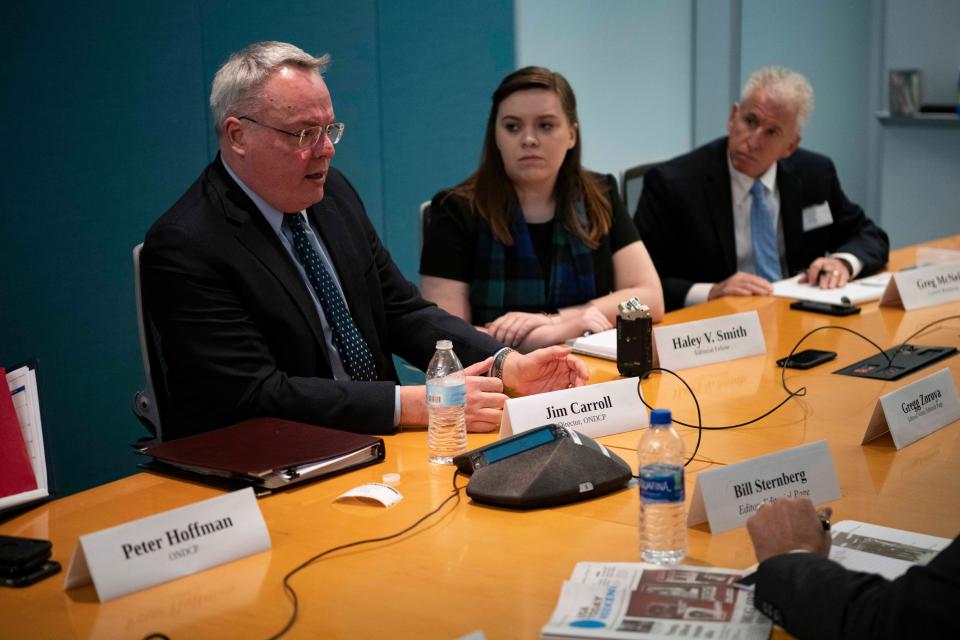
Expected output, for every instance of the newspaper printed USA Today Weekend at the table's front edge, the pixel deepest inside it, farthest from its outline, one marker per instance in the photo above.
(632, 600)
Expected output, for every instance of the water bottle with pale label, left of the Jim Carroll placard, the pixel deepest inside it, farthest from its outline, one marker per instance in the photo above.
(446, 399)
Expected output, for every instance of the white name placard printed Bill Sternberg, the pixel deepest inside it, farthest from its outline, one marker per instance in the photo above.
(727, 496)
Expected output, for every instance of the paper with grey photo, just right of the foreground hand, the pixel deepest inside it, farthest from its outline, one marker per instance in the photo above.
(860, 546)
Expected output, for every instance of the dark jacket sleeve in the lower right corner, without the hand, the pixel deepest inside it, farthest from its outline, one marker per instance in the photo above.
(813, 597)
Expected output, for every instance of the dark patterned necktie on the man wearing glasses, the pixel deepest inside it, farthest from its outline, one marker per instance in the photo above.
(353, 349)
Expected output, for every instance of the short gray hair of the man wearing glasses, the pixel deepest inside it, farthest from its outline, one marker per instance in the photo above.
(237, 84)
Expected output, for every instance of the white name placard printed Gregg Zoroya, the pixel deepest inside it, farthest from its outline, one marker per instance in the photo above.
(916, 410)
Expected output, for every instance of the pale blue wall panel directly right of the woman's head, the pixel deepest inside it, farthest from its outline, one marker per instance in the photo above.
(630, 65)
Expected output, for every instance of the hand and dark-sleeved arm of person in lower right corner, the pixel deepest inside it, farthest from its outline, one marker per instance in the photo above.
(810, 596)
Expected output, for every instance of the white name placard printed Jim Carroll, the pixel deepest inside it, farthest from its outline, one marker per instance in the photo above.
(594, 410)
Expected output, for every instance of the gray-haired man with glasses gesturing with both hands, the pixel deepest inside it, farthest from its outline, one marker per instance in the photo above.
(271, 293)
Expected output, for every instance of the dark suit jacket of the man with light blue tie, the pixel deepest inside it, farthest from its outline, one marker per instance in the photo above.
(685, 218)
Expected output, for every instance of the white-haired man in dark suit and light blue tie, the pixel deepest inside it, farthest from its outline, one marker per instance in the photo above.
(743, 211)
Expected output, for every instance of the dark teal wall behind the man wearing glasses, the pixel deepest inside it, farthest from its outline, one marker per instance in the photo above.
(105, 123)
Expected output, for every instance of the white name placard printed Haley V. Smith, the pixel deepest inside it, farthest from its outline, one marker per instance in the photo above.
(693, 344)
